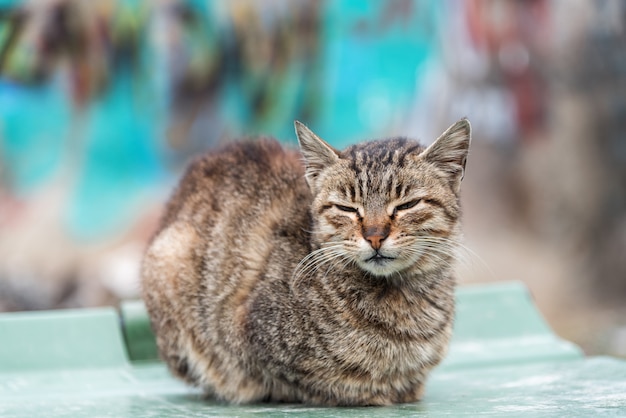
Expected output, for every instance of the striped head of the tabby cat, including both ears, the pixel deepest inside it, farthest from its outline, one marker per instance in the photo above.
(387, 206)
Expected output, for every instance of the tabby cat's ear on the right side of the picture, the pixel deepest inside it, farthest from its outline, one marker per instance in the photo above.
(450, 151)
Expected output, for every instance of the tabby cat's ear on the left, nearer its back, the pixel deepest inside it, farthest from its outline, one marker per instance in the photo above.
(317, 153)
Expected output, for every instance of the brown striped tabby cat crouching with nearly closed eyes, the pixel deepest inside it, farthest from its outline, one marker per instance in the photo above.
(322, 277)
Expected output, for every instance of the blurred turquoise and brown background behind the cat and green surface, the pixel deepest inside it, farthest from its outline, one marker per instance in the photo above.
(103, 102)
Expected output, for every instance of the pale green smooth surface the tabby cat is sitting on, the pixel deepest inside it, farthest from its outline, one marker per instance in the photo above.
(503, 361)
